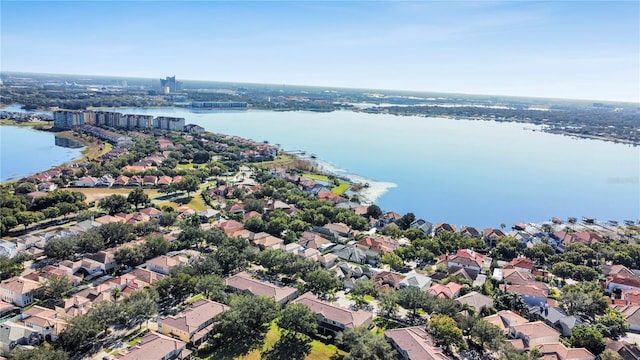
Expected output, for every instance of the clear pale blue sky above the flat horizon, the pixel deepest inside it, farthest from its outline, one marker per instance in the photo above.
(570, 49)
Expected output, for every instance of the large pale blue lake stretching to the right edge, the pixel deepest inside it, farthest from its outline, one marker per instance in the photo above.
(475, 173)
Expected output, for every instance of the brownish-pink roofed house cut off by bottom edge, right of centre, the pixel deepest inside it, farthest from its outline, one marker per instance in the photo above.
(413, 343)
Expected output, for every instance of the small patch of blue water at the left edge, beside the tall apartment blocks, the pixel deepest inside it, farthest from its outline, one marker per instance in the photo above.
(24, 151)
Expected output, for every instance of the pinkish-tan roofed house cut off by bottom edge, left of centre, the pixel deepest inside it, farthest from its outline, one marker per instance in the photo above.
(154, 346)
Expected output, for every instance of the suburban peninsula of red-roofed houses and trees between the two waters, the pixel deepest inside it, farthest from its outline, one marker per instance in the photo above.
(177, 243)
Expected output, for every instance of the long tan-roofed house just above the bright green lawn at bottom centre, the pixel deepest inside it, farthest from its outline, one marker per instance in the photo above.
(332, 318)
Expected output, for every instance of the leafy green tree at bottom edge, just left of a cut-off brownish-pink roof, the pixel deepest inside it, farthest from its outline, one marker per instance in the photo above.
(364, 345)
